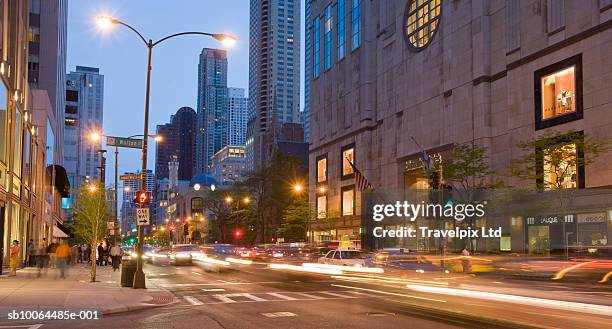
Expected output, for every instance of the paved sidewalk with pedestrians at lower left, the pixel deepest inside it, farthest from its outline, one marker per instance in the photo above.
(77, 293)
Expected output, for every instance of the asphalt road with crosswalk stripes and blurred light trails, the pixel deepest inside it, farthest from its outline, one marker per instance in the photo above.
(253, 296)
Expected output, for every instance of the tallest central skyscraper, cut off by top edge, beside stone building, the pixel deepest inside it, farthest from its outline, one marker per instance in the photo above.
(274, 73)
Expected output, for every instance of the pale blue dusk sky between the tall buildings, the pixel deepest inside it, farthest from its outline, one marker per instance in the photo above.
(121, 57)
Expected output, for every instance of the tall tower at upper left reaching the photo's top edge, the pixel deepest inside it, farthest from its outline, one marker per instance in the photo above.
(47, 32)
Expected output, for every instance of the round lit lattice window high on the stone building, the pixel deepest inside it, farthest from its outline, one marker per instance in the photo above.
(421, 22)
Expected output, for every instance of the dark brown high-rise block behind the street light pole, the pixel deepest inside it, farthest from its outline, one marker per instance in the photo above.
(178, 139)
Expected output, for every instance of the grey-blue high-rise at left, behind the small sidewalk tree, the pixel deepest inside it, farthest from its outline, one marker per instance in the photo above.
(83, 115)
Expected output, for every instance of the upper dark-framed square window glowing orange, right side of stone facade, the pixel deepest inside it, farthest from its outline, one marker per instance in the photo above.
(558, 93)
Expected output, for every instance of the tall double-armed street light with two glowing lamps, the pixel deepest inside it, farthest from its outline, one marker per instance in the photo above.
(106, 22)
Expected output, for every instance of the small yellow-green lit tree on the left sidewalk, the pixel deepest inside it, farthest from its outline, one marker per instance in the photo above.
(92, 213)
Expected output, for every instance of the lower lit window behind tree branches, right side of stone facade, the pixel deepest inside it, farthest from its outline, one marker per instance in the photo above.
(560, 167)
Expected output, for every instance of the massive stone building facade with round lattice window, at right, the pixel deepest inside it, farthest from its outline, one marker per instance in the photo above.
(405, 76)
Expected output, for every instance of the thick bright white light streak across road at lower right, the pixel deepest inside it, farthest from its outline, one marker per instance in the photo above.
(540, 302)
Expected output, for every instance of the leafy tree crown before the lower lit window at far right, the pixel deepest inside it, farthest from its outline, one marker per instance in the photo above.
(553, 159)
